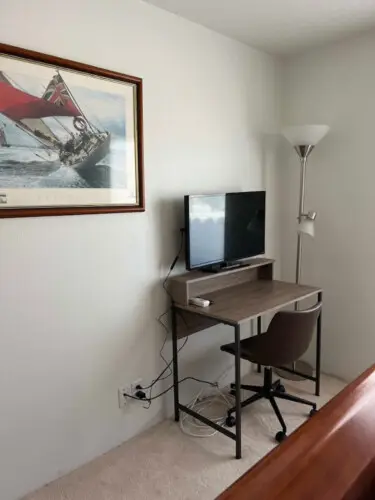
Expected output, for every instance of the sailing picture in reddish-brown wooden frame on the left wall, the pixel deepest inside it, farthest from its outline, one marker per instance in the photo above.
(71, 138)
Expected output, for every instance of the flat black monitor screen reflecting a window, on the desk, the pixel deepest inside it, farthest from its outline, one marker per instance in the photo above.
(224, 227)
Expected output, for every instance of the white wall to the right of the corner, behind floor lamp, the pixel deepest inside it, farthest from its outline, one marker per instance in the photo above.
(335, 85)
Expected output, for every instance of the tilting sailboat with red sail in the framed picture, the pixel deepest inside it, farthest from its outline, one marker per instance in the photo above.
(84, 144)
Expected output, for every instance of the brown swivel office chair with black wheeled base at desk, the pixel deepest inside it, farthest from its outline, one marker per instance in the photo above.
(286, 340)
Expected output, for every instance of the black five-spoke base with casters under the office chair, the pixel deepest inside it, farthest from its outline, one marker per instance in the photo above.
(270, 391)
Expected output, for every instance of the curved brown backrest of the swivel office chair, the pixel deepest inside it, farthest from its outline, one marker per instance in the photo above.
(290, 334)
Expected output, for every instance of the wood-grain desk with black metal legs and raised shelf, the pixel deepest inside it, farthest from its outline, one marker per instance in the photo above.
(234, 305)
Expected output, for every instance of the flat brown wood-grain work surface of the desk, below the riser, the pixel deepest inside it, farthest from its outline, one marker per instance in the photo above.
(240, 303)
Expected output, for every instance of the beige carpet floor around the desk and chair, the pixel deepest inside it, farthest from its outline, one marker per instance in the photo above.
(163, 463)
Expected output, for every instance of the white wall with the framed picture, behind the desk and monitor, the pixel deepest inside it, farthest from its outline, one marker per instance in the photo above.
(79, 295)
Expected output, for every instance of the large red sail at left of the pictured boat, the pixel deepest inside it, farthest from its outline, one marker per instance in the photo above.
(16, 105)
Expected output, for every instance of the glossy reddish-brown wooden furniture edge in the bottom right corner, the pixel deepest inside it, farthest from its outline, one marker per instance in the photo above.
(330, 457)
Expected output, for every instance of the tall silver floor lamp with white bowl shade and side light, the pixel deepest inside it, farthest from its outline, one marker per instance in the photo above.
(303, 138)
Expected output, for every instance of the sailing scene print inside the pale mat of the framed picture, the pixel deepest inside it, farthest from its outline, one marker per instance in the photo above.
(57, 133)
